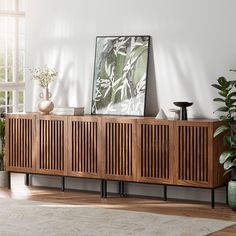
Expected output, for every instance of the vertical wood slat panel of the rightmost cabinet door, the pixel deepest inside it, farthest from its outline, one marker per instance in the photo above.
(193, 154)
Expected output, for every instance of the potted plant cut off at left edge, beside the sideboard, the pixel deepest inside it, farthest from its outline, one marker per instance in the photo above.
(3, 173)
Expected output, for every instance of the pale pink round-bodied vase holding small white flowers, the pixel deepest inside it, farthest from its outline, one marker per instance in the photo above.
(45, 106)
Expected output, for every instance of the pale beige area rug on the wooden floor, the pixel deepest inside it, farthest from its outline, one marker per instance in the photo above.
(32, 218)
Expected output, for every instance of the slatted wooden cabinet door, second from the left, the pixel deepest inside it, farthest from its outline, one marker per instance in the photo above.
(52, 145)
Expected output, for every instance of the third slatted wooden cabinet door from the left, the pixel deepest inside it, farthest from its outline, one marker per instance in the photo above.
(84, 146)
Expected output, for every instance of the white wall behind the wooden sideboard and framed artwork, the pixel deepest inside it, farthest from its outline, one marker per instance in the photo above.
(193, 44)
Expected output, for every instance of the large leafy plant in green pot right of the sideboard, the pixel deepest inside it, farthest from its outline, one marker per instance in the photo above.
(227, 91)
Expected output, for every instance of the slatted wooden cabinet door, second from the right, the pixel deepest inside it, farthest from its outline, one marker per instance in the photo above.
(155, 155)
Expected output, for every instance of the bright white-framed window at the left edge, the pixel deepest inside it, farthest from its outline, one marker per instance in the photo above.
(12, 55)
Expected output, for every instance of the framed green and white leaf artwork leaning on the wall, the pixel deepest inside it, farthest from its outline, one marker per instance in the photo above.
(120, 75)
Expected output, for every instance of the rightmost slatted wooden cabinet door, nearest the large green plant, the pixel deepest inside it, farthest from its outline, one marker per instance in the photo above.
(194, 153)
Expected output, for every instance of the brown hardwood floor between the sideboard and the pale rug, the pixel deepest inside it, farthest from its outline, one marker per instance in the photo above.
(132, 203)
